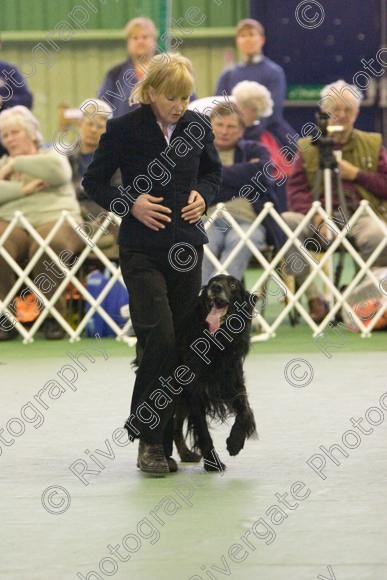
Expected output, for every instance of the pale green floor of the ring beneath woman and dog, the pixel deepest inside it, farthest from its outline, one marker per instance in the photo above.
(123, 524)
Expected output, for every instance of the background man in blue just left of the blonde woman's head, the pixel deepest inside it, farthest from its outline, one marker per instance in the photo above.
(117, 86)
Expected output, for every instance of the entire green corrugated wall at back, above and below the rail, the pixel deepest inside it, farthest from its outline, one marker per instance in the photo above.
(81, 63)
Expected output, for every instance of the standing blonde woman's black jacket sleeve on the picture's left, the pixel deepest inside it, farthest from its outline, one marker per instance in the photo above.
(97, 179)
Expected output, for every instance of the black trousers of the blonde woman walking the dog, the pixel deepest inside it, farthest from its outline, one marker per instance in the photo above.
(160, 294)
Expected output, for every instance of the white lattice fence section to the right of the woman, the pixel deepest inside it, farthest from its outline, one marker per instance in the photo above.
(273, 269)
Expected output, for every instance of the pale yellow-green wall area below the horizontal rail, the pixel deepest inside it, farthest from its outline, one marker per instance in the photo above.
(79, 68)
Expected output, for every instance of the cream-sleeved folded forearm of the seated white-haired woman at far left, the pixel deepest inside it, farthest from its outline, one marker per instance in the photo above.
(51, 167)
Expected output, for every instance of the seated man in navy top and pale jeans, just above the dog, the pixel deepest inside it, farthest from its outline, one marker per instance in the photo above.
(241, 161)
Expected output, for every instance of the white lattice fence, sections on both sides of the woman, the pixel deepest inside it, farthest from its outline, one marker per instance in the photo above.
(270, 270)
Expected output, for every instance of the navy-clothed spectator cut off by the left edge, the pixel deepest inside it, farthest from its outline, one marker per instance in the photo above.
(13, 89)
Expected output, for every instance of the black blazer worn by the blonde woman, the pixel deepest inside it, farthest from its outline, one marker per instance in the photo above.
(135, 144)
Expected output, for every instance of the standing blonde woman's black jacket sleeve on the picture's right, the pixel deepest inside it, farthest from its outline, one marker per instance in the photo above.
(210, 171)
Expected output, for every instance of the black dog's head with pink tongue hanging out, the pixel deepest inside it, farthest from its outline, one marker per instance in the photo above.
(223, 296)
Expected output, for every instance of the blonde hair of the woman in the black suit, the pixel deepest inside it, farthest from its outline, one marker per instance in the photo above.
(167, 74)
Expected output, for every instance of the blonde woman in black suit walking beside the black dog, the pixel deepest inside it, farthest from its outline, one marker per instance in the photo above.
(171, 173)
